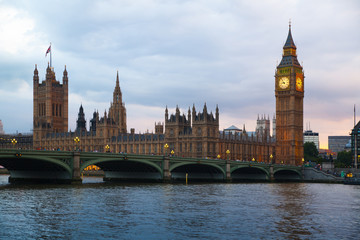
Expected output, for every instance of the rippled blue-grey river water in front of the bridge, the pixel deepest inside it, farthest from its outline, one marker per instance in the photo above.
(96, 210)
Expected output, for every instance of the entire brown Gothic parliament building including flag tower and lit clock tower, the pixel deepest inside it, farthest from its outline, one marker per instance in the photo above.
(193, 134)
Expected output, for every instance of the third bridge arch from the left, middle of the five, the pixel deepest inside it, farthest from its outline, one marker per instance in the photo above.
(197, 172)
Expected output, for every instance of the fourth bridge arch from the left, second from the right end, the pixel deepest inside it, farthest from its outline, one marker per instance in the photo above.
(249, 173)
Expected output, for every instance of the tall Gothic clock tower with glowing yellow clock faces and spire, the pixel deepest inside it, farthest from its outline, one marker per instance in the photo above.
(289, 95)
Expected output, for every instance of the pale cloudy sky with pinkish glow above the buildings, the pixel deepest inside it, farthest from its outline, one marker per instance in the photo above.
(182, 53)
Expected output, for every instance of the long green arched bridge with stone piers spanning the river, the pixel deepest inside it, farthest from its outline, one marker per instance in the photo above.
(61, 166)
